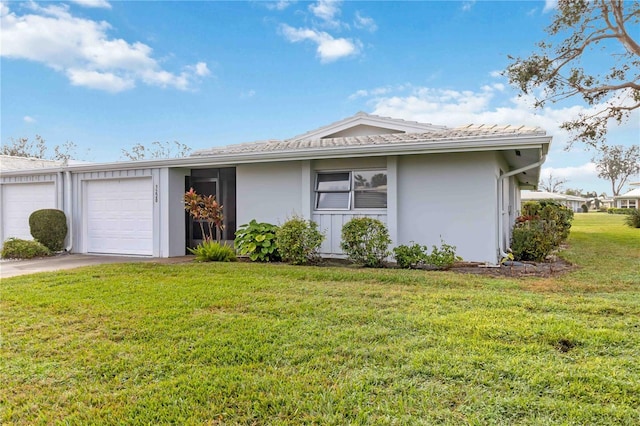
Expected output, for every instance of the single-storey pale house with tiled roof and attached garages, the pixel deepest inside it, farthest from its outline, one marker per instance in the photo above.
(426, 182)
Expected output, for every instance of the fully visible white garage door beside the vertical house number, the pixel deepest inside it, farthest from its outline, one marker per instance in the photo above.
(119, 216)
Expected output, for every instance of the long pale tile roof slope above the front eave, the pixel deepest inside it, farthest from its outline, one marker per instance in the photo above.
(478, 132)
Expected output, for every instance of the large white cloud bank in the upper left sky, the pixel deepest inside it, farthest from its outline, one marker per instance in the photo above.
(82, 50)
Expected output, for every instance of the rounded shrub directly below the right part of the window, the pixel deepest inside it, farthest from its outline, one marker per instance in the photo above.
(365, 241)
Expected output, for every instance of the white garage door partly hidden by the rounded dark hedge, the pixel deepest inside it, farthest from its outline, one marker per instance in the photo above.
(19, 201)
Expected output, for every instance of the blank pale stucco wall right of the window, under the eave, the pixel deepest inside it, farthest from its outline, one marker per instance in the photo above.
(449, 196)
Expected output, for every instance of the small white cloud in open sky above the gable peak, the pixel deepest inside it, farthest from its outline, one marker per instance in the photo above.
(329, 49)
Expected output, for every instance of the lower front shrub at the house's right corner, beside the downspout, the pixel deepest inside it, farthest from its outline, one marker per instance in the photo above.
(530, 240)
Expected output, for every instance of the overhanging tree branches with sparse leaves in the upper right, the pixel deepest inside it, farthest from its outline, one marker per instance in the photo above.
(589, 28)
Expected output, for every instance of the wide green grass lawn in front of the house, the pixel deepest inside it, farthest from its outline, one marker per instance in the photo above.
(272, 344)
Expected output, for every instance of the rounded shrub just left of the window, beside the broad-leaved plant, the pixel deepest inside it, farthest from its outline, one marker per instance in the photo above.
(298, 241)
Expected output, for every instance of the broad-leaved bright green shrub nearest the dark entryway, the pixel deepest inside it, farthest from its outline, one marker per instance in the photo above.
(258, 241)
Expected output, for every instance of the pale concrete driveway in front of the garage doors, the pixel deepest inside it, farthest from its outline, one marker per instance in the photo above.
(13, 268)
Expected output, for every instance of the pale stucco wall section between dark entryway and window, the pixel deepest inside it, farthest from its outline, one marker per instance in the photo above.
(271, 192)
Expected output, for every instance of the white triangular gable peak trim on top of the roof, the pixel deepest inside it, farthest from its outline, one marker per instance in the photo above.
(370, 121)
